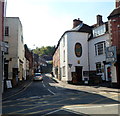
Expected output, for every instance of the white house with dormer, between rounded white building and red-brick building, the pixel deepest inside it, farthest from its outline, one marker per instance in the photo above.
(97, 51)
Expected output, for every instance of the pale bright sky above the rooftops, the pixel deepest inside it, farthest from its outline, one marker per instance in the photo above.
(44, 21)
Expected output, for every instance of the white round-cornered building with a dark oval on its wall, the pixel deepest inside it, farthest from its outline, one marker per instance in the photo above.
(73, 47)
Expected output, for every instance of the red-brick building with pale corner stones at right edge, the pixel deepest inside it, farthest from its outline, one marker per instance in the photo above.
(114, 30)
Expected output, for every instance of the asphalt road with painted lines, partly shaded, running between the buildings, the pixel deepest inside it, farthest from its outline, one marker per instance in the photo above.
(49, 98)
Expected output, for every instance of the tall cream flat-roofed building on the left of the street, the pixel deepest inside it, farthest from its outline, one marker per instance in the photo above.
(14, 56)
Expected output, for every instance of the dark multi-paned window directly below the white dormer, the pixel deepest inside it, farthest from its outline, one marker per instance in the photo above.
(100, 48)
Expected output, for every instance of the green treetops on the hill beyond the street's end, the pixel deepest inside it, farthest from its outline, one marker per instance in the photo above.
(48, 50)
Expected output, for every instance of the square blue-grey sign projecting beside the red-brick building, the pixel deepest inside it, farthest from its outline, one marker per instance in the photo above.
(111, 54)
